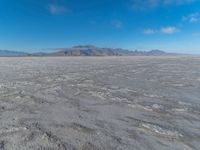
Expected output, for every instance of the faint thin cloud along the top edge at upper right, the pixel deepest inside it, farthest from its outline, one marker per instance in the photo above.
(144, 4)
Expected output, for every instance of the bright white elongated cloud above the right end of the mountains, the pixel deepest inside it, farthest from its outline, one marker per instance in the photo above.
(163, 30)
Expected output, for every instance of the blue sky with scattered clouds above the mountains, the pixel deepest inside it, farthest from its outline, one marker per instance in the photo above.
(35, 25)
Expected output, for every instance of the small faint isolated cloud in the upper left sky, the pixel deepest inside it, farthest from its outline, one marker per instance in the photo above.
(57, 9)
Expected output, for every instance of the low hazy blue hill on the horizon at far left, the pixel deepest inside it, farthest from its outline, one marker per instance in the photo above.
(6, 53)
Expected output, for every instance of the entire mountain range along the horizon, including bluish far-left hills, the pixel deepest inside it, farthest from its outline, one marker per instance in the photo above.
(85, 50)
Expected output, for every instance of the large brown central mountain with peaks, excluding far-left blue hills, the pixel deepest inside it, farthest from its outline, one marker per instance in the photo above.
(90, 50)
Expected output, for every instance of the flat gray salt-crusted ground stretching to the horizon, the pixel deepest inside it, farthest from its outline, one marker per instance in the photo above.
(119, 103)
